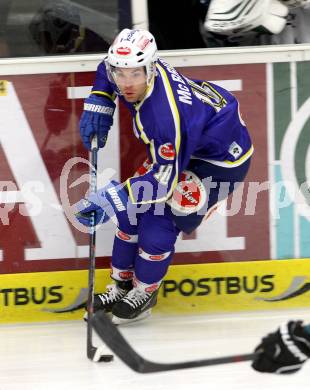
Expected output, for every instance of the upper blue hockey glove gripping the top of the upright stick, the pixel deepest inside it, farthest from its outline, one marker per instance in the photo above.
(97, 118)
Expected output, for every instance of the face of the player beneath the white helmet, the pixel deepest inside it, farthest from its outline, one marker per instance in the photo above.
(131, 83)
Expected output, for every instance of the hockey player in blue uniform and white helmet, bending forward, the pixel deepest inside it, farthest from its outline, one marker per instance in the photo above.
(192, 130)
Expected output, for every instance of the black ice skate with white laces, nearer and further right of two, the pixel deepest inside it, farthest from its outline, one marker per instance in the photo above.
(136, 305)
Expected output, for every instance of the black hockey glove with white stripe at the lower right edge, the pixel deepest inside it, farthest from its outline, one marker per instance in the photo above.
(285, 350)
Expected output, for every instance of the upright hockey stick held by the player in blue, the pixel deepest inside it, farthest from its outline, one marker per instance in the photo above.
(93, 353)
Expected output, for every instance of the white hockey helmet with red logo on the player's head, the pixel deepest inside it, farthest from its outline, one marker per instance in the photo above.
(132, 49)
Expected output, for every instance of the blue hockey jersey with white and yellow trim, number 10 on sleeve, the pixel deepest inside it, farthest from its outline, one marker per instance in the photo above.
(180, 119)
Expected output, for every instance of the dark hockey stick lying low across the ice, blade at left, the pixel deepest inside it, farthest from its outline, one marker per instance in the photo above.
(111, 336)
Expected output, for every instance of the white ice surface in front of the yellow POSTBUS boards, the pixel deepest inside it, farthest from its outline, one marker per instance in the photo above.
(53, 356)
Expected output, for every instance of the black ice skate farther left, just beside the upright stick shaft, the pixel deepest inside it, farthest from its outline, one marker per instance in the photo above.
(115, 292)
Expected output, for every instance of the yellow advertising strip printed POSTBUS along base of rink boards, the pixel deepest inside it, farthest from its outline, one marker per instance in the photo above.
(192, 289)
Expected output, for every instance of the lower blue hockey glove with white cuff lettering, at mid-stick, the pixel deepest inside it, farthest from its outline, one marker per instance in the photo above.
(108, 201)
